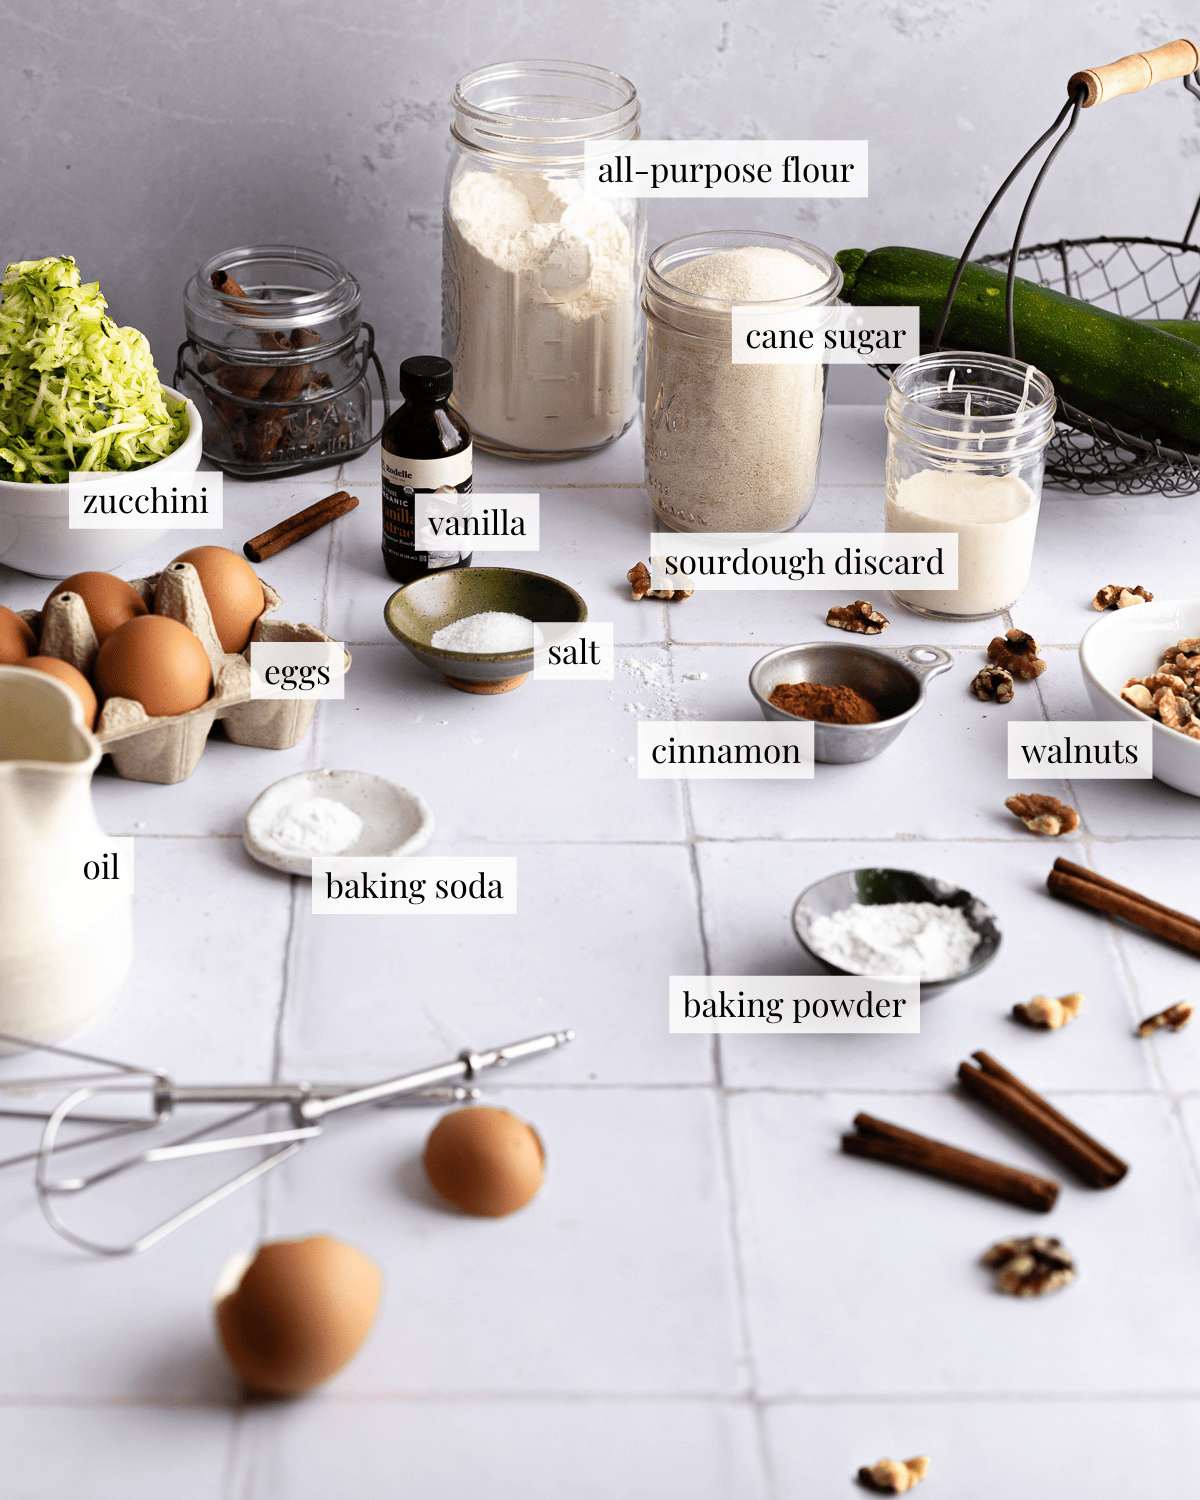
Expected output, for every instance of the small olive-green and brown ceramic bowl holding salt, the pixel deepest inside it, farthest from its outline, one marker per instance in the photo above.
(479, 626)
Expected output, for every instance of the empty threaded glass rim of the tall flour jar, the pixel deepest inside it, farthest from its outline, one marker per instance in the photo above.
(482, 124)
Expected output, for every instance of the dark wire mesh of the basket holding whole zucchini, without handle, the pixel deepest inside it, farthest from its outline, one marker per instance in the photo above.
(1141, 278)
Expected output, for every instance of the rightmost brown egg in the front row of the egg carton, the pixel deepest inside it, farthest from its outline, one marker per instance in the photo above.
(157, 662)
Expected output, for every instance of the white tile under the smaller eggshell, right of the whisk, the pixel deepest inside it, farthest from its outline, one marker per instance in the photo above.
(619, 1277)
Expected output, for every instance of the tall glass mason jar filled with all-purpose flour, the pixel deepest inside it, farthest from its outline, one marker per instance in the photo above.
(541, 280)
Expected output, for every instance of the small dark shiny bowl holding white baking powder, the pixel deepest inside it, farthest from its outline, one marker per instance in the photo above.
(896, 925)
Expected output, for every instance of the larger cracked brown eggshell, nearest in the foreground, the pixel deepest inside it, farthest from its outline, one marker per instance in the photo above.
(299, 1313)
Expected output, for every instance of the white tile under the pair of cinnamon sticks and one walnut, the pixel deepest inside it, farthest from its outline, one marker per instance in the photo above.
(863, 1280)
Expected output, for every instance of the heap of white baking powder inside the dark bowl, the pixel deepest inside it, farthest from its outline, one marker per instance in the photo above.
(901, 940)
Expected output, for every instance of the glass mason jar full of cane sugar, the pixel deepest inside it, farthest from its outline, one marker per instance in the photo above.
(731, 448)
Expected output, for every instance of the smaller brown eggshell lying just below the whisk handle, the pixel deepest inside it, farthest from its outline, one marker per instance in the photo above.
(485, 1162)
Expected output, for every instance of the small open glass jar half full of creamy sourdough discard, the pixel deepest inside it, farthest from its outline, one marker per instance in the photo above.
(967, 454)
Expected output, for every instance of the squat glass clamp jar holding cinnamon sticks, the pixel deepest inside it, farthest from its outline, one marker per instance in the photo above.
(278, 361)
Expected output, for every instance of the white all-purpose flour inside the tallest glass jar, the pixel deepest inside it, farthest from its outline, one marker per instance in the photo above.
(541, 317)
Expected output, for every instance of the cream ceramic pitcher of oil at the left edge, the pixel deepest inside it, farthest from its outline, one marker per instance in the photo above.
(65, 943)
